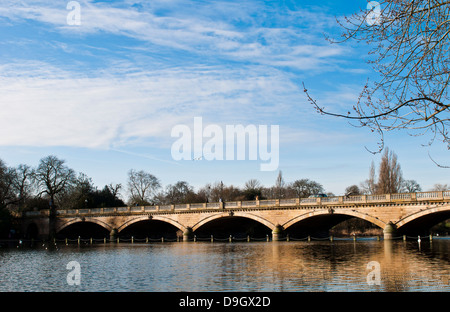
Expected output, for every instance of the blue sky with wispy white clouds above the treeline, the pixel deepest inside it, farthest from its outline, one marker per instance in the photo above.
(105, 94)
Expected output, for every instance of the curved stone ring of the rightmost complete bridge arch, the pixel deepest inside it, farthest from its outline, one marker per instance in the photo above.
(304, 216)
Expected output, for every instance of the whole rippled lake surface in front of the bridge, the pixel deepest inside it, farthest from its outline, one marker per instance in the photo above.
(274, 266)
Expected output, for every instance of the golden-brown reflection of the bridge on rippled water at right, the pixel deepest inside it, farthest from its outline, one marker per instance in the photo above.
(403, 266)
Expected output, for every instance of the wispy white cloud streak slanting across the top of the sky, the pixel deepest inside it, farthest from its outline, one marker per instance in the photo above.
(215, 29)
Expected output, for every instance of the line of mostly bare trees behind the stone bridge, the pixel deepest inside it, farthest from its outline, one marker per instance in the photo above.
(52, 185)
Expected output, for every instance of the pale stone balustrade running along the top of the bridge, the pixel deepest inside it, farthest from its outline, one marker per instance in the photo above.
(257, 204)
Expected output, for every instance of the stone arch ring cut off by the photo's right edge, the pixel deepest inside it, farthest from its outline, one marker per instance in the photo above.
(427, 216)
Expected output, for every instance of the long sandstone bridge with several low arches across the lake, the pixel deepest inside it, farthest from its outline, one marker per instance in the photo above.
(394, 213)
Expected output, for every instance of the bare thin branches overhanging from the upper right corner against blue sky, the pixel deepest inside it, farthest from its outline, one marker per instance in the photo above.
(410, 49)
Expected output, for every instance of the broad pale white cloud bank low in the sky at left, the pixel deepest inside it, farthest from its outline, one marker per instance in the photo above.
(43, 105)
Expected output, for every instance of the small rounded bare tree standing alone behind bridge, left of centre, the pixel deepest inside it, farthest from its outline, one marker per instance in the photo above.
(142, 186)
